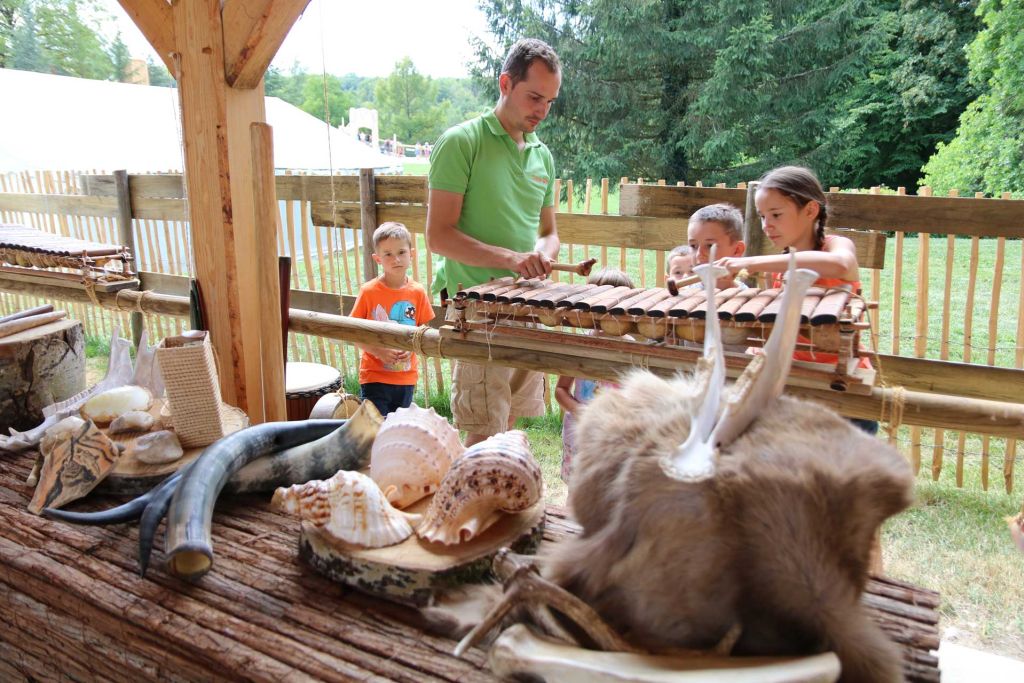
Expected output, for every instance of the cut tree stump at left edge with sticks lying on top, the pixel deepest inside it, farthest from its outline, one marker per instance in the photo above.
(39, 367)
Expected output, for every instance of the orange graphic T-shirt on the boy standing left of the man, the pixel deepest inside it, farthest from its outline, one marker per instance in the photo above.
(406, 306)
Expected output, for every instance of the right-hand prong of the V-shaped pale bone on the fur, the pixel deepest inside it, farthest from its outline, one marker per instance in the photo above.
(765, 376)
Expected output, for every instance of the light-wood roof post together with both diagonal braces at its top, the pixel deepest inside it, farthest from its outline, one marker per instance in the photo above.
(219, 53)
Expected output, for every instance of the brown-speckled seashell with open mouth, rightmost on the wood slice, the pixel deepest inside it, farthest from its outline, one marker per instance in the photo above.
(496, 476)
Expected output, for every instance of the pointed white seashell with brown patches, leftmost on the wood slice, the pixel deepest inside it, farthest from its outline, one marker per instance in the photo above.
(350, 507)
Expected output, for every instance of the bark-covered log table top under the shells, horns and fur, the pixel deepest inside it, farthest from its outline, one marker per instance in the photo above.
(72, 607)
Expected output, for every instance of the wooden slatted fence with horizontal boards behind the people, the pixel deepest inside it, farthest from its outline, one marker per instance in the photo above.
(947, 263)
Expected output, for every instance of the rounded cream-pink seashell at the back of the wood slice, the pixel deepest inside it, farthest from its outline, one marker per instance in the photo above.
(413, 451)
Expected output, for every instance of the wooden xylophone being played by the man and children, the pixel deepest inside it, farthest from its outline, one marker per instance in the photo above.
(831, 320)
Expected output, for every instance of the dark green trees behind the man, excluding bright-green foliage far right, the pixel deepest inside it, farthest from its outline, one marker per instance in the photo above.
(723, 91)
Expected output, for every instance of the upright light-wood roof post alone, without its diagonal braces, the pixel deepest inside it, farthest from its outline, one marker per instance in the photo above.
(216, 121)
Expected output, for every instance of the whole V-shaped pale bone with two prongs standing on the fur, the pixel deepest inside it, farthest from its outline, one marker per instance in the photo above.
(763, 379)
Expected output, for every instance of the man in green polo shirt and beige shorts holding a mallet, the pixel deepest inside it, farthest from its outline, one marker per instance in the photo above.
(492, 215)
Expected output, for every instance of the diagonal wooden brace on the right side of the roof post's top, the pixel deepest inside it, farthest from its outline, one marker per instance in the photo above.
(254, 31)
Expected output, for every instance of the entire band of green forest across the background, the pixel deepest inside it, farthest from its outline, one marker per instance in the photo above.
(869, 93)
